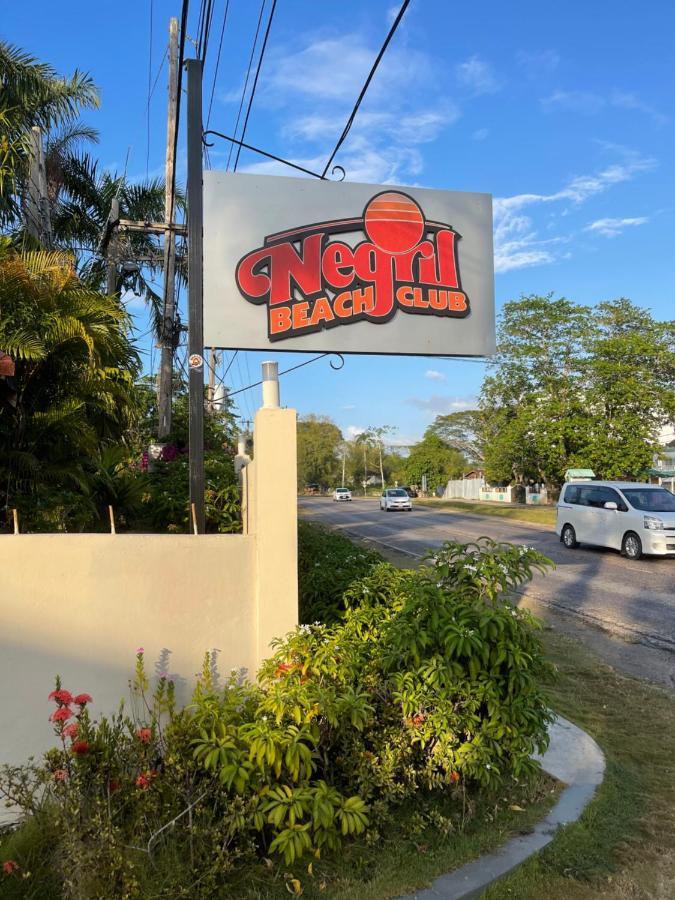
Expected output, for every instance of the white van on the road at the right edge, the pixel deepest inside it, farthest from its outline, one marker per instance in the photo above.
(627, 516)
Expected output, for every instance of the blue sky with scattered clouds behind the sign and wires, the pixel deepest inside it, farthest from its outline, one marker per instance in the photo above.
(563, 112)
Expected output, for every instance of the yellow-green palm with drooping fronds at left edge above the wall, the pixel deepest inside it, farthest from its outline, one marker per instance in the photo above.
(75, 370)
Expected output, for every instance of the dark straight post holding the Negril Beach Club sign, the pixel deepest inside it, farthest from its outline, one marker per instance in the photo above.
(195, 205)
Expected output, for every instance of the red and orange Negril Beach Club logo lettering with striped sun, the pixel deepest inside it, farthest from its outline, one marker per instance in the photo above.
(309, 279)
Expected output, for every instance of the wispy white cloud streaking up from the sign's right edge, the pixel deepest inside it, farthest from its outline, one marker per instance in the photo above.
(516, 241)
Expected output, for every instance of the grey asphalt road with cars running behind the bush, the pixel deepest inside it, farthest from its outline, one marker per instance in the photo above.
(634, 601)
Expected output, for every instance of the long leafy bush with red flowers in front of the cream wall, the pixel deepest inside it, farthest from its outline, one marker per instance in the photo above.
(429, 686)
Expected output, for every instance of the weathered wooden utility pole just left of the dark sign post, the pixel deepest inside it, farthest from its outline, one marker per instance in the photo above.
(169, 311)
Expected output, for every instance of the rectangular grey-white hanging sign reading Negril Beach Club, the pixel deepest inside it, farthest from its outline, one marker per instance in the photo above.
(322, 266)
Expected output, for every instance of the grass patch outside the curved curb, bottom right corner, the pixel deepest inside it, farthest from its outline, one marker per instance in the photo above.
(624, 844)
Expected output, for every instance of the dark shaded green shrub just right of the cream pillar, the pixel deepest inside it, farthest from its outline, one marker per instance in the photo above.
(328, 563)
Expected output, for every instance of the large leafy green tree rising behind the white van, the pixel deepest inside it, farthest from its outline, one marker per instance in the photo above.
(576, 386)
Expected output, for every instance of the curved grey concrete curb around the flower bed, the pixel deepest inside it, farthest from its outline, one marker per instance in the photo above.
(574, 758)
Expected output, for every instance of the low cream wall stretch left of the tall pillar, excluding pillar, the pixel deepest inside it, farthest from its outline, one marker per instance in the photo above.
(80, 605)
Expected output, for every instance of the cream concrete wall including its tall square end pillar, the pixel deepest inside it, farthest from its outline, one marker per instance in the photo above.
(80, 605)
